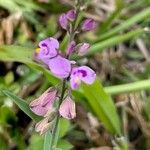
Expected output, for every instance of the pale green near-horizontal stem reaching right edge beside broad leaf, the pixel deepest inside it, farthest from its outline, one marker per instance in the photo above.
(130, 87)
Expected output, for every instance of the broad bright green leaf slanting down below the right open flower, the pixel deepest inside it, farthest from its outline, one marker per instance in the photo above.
(103, 106)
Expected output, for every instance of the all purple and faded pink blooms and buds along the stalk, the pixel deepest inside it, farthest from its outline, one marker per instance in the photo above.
(62, 67)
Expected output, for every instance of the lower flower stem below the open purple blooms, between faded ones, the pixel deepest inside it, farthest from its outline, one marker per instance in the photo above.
(53, 141)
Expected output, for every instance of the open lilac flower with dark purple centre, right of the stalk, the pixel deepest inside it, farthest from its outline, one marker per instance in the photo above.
(82, 73)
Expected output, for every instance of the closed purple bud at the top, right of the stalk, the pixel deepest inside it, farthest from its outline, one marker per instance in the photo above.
(88, 24)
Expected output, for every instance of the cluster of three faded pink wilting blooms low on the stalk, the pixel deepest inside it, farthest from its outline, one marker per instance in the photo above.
(43, 106)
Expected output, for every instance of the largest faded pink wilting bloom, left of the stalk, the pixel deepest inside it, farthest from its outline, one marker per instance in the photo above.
(41, 105)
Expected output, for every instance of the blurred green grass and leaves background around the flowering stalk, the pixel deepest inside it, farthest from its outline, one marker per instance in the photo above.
(113, 112)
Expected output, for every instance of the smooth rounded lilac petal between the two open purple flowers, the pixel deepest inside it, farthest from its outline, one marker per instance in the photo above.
(60, 66)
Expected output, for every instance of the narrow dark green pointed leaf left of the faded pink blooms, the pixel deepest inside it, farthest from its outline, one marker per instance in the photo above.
(22, 105)
